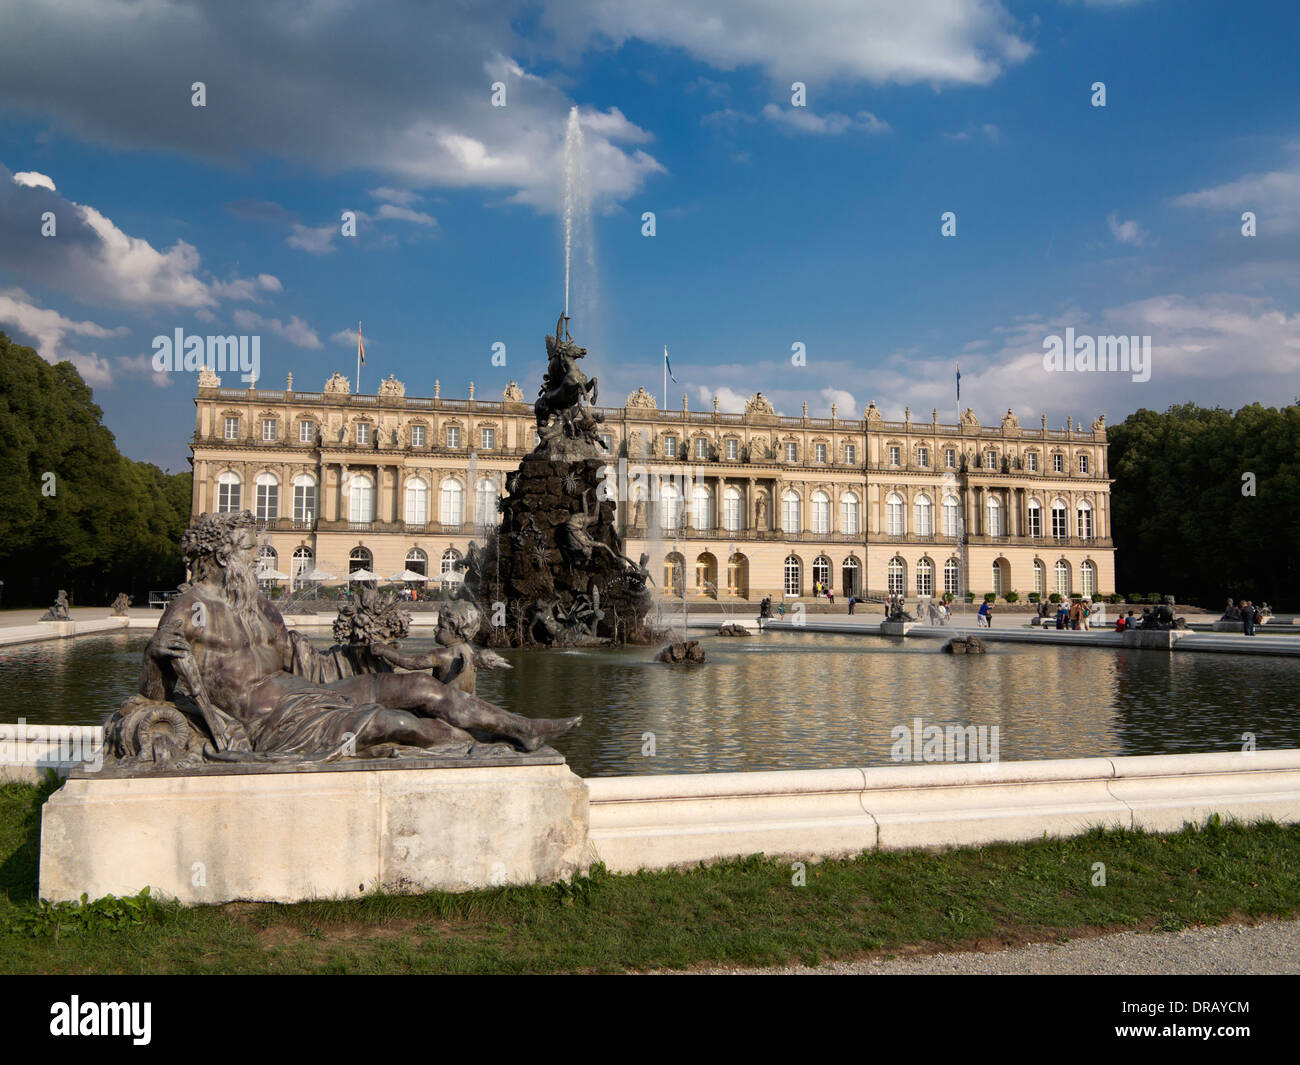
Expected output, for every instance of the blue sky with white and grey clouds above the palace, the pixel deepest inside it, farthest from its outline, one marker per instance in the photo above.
(775, 224)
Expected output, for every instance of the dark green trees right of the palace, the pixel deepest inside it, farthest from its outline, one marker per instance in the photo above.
(1185, 519)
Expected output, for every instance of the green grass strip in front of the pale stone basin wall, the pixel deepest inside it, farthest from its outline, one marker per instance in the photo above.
(743, 912)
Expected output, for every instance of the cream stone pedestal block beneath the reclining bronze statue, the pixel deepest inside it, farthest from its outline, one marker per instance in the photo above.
(336, 832)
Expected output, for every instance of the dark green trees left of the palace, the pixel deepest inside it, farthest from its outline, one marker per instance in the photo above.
(102, 523)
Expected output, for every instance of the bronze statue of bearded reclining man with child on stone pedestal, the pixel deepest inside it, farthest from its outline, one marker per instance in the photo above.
(259, 692)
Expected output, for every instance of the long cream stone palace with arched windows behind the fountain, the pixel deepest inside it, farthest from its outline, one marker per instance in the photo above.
(734, 506)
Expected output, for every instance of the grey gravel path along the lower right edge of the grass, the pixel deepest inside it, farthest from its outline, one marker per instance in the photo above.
(1223, 950)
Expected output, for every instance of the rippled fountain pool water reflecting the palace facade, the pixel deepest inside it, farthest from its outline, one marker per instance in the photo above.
(799, 700)
